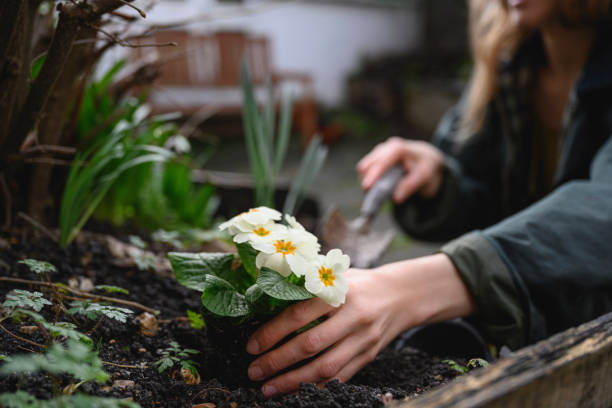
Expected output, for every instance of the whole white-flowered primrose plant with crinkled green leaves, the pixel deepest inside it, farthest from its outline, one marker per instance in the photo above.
(278, 263)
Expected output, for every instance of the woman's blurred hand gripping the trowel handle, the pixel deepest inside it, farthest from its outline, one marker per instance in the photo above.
(423, 162)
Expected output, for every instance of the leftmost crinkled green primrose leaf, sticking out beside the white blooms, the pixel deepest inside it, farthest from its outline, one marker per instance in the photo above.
(191, 269)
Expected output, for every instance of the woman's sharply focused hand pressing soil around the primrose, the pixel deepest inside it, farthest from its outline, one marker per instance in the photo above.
(380, 304)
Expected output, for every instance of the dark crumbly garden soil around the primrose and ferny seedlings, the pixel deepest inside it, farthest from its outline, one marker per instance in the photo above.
(397, 373)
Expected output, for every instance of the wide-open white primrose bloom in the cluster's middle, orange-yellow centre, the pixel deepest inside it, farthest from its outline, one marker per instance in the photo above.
(287, 251)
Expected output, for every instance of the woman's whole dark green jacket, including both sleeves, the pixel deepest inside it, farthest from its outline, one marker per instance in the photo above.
(534, 266)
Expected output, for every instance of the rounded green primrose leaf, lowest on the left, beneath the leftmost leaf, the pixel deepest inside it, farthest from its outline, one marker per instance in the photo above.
(221, 298)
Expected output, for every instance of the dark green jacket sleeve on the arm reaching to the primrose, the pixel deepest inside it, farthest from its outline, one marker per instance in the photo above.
(547, 268)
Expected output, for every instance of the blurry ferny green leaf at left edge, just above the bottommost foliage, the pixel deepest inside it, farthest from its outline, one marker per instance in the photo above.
(76, 359)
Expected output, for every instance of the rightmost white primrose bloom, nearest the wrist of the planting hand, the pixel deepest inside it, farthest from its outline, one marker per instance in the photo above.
(325, 277)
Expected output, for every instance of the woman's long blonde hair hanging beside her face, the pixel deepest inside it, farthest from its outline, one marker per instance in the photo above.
(493, 35)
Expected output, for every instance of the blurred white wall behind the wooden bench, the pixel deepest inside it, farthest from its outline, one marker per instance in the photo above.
(326, 40)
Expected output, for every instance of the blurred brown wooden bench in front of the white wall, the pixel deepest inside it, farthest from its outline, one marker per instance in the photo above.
(203, 72)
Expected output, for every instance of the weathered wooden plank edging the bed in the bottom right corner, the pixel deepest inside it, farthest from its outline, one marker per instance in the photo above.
(570, 369)
